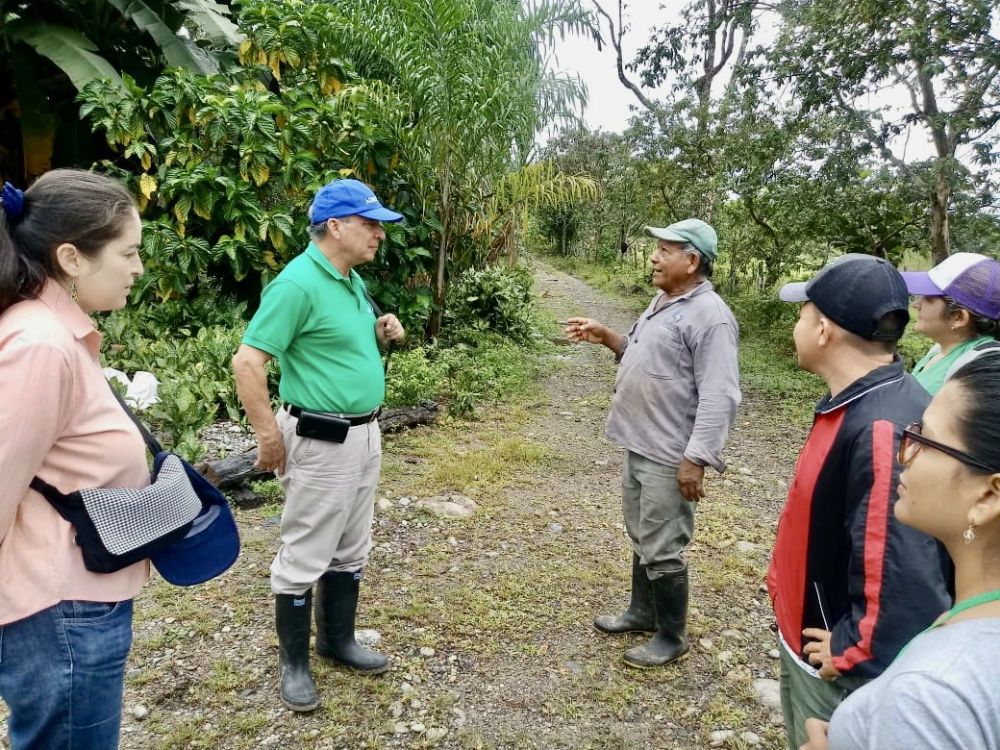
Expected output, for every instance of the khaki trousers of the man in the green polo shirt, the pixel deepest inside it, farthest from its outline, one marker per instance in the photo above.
(329, 505)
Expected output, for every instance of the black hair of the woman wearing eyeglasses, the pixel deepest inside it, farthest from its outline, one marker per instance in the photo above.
(979, 420)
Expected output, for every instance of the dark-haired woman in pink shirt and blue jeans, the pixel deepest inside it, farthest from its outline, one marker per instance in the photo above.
(69, 246)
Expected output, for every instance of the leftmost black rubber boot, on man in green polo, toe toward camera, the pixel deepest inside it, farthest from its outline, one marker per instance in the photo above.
(298, 691)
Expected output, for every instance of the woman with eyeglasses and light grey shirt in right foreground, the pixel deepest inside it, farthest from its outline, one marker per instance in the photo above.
(943, 689)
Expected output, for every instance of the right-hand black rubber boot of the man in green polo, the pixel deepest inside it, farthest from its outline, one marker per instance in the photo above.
(336, 606)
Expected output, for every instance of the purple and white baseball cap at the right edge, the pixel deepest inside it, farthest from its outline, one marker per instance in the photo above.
(971, 279)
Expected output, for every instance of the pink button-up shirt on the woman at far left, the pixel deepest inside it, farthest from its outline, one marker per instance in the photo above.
(59, 420)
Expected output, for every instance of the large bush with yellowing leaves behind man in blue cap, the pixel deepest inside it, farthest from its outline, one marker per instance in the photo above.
(225, 168)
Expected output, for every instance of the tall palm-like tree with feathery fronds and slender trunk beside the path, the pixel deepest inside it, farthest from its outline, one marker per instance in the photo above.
(474, 73)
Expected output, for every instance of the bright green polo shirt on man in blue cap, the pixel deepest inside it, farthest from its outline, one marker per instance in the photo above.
(321, 328)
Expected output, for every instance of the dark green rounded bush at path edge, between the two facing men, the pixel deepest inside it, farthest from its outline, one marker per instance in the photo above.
(496, 300)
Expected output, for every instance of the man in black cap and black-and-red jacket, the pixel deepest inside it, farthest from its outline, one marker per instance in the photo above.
(850, 585)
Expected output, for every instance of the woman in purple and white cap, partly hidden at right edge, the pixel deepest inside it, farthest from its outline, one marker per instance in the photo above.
(958, 306)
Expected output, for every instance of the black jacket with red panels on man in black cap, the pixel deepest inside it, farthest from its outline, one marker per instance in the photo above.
(880, 582)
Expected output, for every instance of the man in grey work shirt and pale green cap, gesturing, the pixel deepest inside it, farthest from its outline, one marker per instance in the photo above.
(675, 398)
